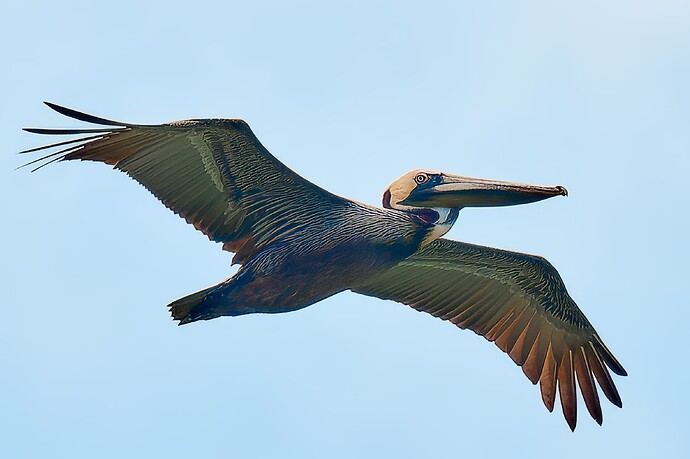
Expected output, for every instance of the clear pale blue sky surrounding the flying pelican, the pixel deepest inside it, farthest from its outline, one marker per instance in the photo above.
(591, 95)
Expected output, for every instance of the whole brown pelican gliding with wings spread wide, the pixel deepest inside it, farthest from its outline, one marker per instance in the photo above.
(298, 244)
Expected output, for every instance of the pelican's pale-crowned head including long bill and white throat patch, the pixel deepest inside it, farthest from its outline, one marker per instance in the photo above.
(437, 197)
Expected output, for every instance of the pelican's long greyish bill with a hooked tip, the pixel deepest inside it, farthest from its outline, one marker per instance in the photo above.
(456, 191)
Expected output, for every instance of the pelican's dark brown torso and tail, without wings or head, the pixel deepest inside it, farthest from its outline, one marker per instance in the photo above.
(311, 265)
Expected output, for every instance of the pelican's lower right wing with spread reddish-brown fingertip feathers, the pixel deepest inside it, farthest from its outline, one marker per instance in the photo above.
(517, 301)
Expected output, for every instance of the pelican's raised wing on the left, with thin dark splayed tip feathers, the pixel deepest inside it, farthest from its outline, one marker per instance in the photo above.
(214, 173)
